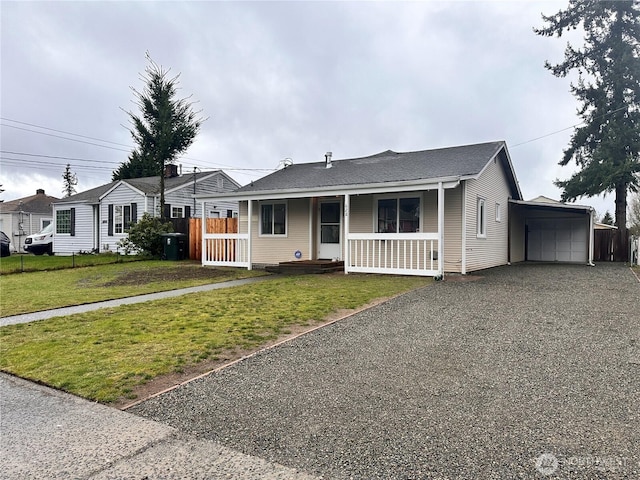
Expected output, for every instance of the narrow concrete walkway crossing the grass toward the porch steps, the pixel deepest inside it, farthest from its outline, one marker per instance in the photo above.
(60, 312)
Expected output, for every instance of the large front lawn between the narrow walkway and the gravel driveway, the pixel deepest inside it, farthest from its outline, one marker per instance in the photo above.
(104, 355)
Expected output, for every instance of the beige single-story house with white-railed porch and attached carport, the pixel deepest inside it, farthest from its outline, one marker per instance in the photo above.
(457, 209)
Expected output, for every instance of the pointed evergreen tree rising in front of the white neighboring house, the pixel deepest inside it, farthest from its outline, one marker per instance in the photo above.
(166, 127)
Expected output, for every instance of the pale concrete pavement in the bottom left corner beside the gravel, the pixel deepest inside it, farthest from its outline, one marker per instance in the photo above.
(47, 434)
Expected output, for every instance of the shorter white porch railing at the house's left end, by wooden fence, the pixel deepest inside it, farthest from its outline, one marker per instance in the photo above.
(225, 249)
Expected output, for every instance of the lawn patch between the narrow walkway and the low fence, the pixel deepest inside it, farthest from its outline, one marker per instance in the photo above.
(35, 291)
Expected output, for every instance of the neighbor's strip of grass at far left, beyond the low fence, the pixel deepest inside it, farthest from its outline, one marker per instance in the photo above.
(18, 263)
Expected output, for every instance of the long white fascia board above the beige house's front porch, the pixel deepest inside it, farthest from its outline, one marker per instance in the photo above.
(365, 189)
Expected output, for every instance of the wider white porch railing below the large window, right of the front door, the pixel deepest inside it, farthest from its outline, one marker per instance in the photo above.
(394, 253)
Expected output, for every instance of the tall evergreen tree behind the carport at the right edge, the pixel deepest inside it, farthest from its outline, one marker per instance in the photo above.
(606, 147)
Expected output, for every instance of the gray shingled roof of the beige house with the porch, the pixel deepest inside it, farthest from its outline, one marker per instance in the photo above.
(389, 166)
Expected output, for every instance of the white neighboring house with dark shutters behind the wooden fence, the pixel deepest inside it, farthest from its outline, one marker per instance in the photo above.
(96, 220)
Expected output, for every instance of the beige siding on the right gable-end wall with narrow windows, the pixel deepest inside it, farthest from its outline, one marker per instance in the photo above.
(492, 250)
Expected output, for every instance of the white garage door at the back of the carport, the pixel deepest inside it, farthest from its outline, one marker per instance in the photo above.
(557, 240)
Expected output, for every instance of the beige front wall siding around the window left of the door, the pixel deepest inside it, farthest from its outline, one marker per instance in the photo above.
(277, 248)
